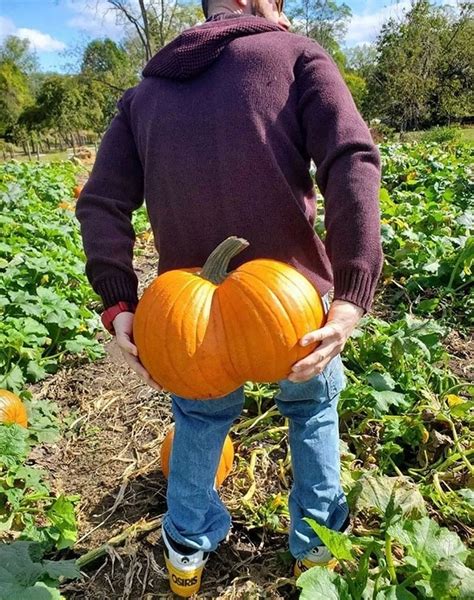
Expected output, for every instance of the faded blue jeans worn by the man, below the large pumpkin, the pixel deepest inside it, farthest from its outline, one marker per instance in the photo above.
(197, 517)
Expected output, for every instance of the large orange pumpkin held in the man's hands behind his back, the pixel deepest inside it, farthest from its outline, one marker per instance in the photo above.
(203, 332)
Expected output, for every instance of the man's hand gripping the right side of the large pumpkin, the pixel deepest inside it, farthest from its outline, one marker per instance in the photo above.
(342, 318)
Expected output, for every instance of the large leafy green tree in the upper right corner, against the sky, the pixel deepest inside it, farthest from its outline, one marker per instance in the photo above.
(424, 64)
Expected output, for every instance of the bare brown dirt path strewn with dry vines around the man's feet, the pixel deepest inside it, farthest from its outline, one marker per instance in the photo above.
(109, 455)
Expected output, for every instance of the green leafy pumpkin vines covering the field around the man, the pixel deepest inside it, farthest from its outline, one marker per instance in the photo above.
(406, 413)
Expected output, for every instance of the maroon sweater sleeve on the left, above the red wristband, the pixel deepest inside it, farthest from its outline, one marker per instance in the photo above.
(104, 210)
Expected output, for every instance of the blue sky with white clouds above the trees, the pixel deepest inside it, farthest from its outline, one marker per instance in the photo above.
(57, 28)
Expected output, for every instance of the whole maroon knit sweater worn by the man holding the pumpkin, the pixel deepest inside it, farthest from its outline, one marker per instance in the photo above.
(218, 138)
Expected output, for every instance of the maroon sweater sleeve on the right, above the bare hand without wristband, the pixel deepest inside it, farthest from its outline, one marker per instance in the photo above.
(348, 176)
